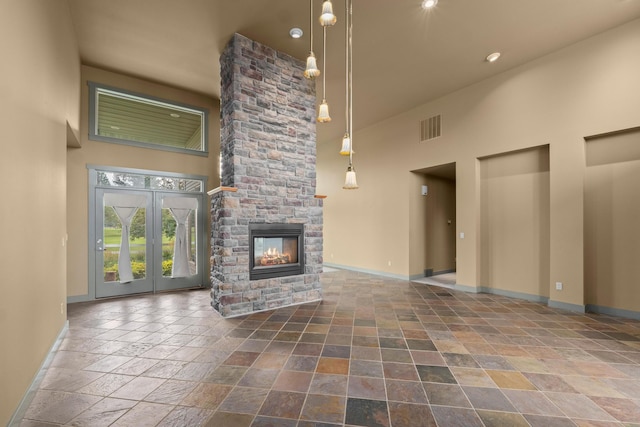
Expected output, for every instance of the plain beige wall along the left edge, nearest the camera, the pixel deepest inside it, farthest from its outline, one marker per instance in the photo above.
(39, 94)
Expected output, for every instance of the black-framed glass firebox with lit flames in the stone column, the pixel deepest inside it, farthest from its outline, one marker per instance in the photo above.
(275, 250)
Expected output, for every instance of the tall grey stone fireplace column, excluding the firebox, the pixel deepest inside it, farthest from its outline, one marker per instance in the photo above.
(268, 149)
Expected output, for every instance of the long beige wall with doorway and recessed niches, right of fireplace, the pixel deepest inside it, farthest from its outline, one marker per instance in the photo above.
(557, 100)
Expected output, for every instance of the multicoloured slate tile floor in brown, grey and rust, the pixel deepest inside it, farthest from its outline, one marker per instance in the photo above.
(375, 352)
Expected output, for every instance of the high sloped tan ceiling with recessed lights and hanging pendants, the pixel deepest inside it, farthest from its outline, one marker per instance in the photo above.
(403, 56)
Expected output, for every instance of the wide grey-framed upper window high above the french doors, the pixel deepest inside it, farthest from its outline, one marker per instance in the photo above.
(127, 118)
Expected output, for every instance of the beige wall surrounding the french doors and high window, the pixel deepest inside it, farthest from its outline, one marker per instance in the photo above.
(116, 155)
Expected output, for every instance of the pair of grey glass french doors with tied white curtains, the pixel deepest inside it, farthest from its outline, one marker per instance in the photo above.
(147, 241)
